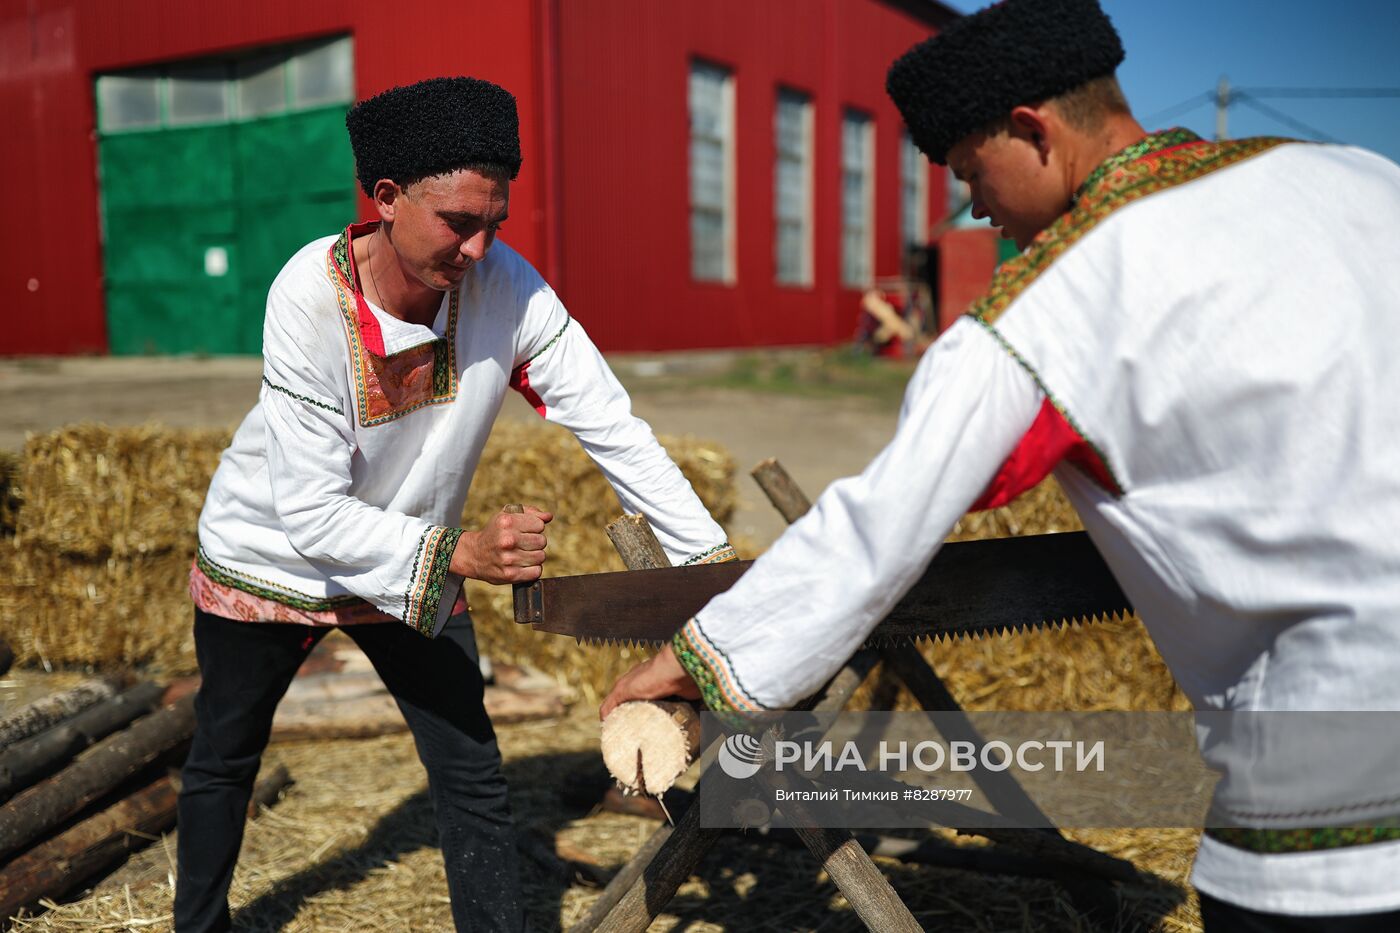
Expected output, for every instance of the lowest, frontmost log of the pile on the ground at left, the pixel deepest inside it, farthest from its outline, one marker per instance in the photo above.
(64, 864)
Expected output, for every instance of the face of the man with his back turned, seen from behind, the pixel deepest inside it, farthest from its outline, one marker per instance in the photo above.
(1013, 181)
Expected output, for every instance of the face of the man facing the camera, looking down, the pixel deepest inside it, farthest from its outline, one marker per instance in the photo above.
(446, 223)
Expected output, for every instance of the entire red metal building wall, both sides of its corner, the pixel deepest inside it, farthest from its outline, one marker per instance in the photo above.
(601, 209)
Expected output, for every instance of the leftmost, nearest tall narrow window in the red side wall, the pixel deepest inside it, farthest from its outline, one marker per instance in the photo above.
(712, 173)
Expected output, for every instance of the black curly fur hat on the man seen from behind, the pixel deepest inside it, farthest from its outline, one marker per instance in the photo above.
(983, 65)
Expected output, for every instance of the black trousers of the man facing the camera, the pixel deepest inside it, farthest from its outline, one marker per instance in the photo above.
(246, 670)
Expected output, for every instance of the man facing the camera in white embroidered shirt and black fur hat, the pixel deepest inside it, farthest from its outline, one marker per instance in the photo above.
(388, 350)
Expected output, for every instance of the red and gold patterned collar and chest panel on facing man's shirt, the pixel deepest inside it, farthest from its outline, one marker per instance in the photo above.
(388, 387)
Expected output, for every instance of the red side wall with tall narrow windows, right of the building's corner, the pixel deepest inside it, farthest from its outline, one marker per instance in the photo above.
(624, 163)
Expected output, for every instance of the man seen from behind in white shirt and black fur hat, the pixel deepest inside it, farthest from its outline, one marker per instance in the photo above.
(1199, 340)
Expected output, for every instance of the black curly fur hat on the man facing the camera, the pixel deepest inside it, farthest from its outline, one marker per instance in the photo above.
(435, 127)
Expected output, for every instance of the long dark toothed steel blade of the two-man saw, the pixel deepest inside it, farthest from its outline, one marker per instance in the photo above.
(972, 588)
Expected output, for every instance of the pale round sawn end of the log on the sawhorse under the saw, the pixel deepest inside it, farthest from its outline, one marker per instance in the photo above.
(647, 746)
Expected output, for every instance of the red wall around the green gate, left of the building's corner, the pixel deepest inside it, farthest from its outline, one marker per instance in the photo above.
(51, 257)
